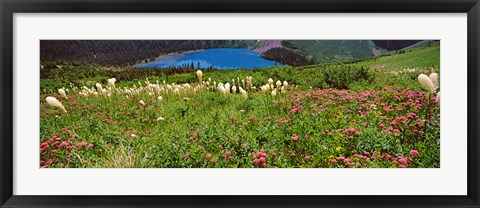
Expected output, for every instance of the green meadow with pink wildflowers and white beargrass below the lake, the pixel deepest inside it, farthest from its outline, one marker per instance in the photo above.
(338, 115)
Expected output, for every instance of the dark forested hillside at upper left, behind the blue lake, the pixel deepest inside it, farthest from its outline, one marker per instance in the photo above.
(124, 52)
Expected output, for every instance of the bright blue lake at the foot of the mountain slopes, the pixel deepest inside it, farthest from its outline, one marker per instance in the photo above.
(219, 58)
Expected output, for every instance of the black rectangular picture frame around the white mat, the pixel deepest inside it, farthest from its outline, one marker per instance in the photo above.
(9, 7)
